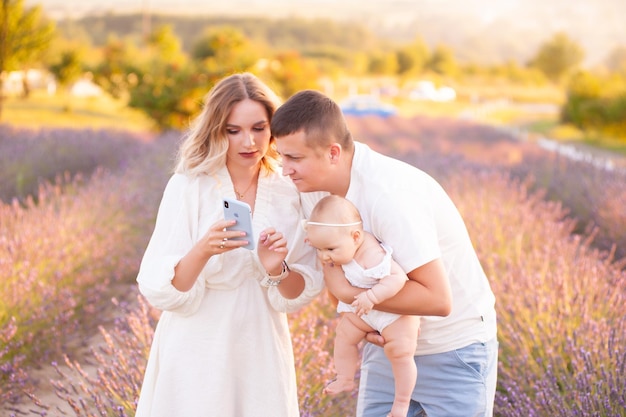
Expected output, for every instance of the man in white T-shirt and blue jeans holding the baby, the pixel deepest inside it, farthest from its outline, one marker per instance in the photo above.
(404, 207)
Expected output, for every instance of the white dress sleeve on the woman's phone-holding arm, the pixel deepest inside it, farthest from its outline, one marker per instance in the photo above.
(170, 241)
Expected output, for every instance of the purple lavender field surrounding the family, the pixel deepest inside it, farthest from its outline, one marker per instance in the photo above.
(78, 207)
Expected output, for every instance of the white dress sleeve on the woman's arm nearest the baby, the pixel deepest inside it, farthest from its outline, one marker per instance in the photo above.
(302, 259)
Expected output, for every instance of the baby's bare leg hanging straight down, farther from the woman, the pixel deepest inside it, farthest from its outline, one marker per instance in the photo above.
(400, 343)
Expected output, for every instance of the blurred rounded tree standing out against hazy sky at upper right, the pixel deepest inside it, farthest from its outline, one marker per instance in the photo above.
(558, 57)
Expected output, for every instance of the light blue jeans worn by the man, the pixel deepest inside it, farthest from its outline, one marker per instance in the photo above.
(459, 383)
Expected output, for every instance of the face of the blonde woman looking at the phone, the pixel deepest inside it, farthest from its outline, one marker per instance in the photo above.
(248, 131)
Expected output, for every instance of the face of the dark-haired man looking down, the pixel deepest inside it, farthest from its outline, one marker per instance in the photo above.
(308, 168)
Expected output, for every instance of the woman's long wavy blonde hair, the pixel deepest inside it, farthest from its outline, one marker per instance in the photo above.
(203, 150)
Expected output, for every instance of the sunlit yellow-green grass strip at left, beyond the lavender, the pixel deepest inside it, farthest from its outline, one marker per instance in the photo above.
(44, 110)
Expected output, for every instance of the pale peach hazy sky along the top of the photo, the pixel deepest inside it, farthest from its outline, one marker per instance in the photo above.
(468, 25)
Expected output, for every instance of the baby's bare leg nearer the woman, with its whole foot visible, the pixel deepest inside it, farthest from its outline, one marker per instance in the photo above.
(350, 331)
